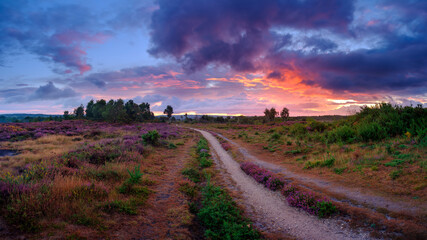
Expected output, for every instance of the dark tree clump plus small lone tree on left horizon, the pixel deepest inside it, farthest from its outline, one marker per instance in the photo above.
(115, 111)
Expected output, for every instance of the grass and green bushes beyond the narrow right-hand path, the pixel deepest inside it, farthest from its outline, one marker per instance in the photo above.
(381, 147)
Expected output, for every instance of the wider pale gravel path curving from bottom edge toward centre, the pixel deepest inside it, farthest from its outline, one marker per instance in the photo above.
(272, 209)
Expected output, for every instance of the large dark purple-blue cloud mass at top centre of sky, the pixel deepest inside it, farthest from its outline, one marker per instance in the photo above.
(236, 33)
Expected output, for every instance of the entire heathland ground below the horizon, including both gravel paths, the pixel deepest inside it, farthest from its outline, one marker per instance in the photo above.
(80, 179)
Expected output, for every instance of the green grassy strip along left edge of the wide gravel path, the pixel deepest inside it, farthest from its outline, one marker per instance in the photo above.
(214, 208)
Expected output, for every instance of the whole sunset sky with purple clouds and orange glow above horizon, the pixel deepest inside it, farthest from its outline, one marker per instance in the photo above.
(227, 57)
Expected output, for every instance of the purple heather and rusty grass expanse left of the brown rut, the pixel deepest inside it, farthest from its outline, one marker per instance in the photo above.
(107, 171)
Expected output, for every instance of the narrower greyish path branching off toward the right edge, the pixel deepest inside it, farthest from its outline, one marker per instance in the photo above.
(362, 196)
